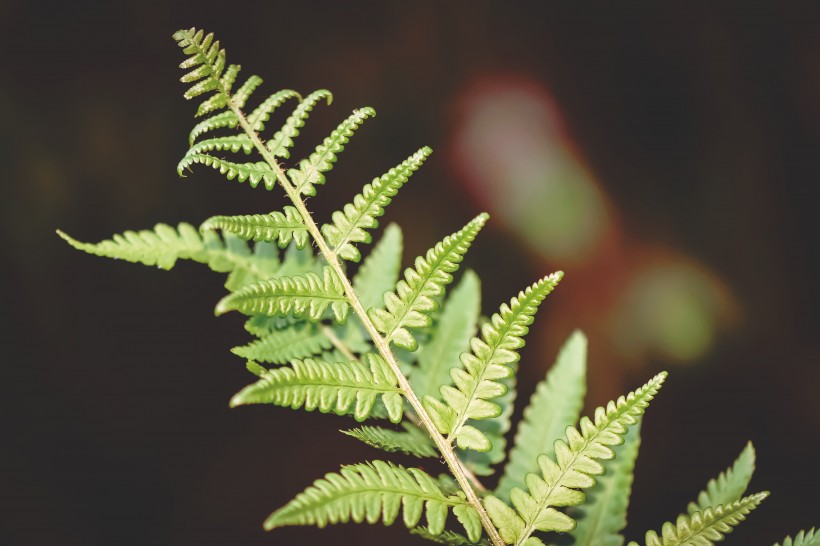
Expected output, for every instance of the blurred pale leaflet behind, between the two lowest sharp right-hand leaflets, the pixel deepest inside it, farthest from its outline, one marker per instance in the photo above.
(555, 405)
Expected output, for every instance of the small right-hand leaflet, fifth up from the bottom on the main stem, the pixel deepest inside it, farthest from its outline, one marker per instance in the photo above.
(309, 172)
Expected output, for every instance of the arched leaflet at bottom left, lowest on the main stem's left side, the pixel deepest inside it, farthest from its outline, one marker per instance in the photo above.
(371, 492)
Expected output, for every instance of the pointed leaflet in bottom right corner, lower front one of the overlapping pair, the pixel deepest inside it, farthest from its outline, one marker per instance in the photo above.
(704, 528)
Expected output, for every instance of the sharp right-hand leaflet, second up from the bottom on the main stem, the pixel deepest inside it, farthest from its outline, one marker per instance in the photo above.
(477, 381)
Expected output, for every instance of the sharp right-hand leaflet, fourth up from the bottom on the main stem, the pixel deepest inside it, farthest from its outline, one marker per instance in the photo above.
(350, 224)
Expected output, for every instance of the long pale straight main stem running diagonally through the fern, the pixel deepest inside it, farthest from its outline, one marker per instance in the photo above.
(381, 343)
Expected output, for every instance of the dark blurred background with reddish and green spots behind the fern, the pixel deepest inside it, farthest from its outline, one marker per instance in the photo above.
(665, 157)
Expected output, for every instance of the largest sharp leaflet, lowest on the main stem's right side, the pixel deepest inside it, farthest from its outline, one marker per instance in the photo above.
(561, 482)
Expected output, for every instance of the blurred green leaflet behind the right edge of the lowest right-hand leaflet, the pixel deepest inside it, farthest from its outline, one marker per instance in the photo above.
(602, 517)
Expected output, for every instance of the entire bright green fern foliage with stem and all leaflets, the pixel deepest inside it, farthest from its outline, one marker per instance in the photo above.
(349, 346)
